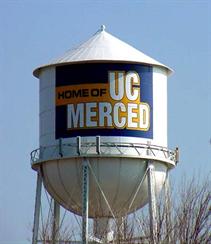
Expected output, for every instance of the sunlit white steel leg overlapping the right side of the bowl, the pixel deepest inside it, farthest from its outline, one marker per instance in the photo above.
(152, 203)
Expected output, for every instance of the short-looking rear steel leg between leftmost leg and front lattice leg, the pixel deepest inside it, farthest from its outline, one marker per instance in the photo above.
(56, 222)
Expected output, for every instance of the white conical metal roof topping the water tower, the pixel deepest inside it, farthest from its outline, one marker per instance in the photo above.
(103, 46)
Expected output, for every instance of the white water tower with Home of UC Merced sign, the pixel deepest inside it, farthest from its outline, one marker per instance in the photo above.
(103, 131)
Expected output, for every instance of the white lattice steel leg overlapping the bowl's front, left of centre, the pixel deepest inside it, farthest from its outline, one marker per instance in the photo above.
(85, 201)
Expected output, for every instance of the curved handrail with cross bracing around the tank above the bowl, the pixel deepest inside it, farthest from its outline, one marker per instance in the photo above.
(91, 148)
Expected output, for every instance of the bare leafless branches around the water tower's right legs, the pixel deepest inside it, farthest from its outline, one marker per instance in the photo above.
(190, 216)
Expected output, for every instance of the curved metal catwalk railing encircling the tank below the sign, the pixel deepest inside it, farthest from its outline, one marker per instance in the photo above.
(104, 149)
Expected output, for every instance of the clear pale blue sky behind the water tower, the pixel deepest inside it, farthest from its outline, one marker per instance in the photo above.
(177, 33)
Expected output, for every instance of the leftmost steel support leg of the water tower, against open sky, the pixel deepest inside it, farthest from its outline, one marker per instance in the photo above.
(37, 208)
